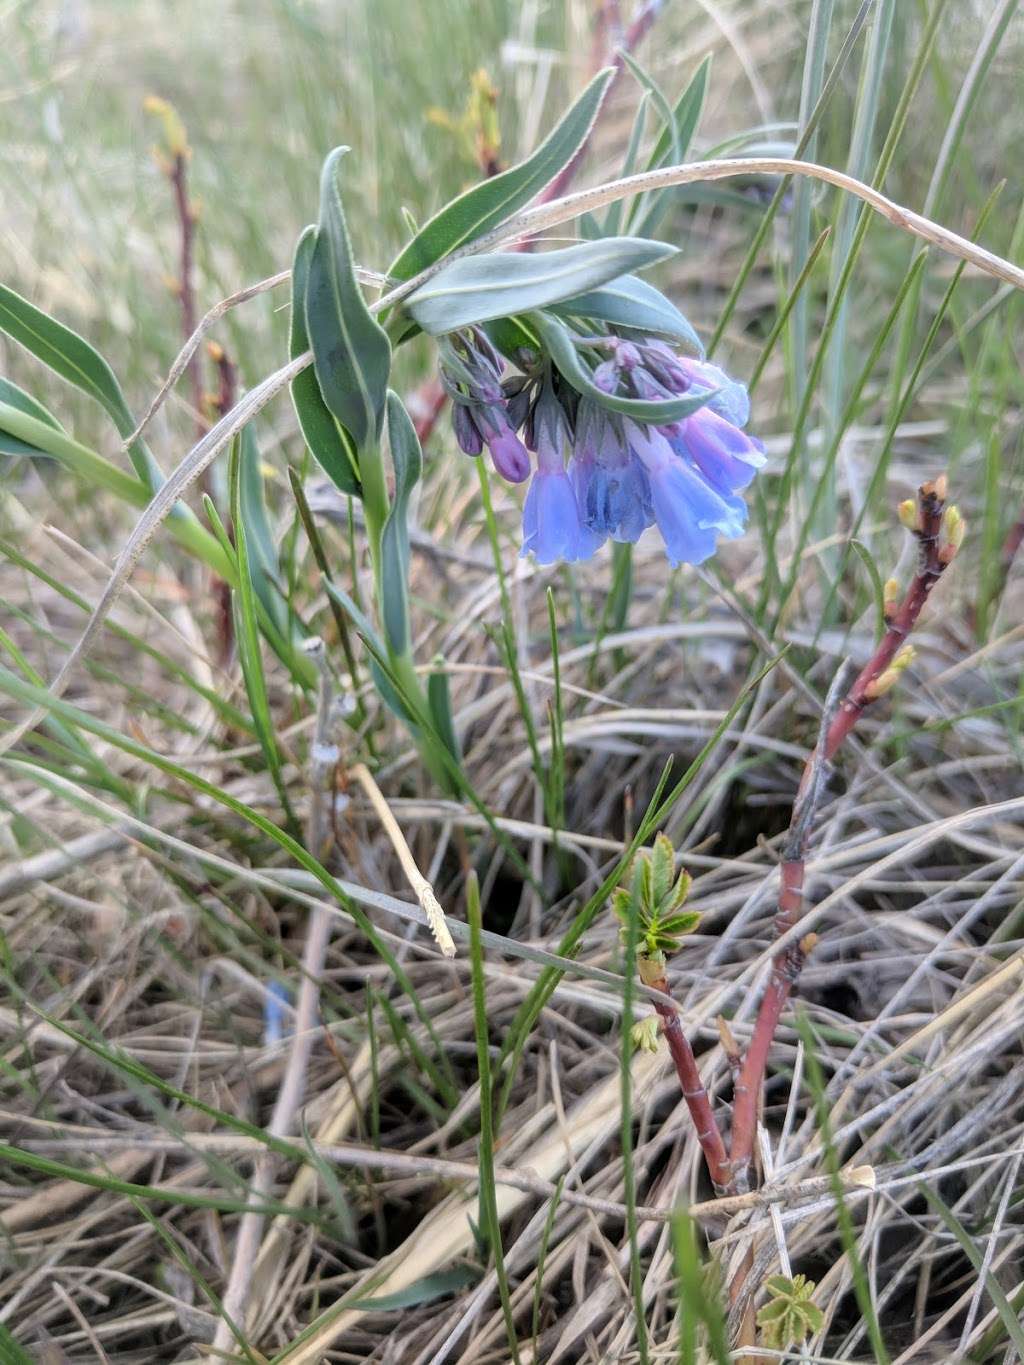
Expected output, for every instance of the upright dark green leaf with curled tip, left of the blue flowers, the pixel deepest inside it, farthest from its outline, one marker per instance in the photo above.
(352, 353)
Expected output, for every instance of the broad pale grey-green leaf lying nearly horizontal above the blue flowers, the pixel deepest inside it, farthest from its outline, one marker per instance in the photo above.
(484, 287)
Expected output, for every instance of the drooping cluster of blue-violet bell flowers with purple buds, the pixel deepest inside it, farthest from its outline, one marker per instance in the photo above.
(623, 476)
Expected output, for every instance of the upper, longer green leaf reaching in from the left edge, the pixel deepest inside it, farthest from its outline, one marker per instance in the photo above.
(74, 360)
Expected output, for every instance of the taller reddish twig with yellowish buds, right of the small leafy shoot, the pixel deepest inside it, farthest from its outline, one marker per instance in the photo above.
(879, 675)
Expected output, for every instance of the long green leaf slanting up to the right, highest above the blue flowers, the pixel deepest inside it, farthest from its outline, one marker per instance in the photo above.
(489, 204)
